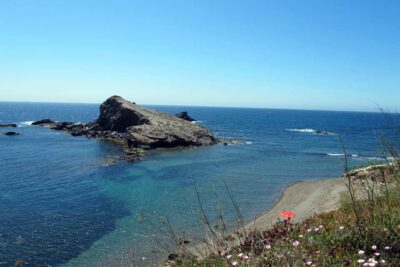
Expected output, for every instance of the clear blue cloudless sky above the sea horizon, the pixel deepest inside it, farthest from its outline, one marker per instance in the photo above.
(333, 54)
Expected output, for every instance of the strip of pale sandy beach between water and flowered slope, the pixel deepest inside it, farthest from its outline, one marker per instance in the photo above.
(304, 199)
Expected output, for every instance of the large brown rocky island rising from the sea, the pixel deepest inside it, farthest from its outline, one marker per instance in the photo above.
(136, 129)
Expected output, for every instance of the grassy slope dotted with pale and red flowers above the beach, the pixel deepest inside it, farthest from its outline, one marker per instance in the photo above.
(364, 231)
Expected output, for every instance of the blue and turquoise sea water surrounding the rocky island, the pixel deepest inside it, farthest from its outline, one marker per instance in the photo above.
(60, 204)
